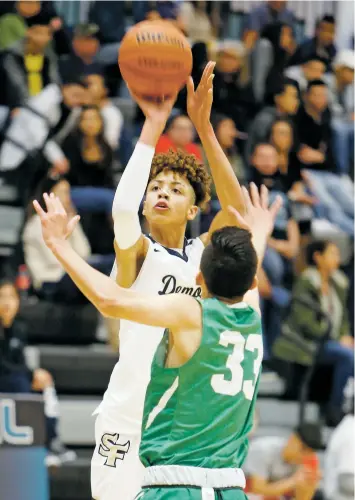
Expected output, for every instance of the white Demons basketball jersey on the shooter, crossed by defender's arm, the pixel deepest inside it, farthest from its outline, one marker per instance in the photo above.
(164, 271)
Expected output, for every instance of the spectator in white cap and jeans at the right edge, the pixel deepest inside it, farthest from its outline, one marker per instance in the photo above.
(341, 102)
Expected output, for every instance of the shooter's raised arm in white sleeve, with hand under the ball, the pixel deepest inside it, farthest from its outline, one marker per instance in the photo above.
(134, 180)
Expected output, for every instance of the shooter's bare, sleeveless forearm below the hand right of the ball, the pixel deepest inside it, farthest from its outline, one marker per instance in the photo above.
(227, 185)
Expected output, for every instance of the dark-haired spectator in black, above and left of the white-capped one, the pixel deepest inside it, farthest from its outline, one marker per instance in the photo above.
(321, 44)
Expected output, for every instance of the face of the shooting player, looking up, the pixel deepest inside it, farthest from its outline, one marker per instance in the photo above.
(170, 199)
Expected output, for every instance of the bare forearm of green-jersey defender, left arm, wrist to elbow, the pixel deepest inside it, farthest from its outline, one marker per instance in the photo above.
(93, 284)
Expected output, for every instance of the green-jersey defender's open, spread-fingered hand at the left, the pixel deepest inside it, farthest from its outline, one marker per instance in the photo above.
(56, 225)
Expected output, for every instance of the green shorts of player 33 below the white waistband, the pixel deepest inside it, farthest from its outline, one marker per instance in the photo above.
(189, 493)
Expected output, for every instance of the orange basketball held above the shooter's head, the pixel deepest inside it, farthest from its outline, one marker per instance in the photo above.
(155, 58)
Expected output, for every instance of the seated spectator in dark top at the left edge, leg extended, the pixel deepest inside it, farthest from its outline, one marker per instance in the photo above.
(16, 377)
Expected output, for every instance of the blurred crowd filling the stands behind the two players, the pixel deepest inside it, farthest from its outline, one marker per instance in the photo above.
(283, 112)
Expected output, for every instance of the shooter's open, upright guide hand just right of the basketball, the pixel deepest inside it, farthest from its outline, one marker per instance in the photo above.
(199, 101)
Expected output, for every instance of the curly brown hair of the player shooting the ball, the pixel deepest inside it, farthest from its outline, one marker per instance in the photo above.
(187, 166)
